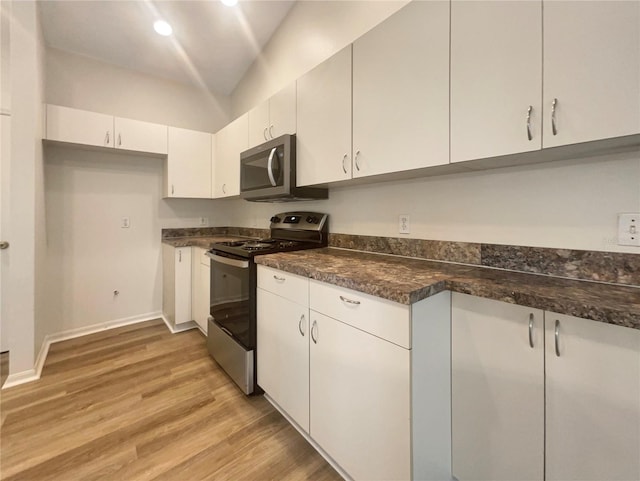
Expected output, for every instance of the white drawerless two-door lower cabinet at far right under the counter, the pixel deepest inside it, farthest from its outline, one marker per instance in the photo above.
(531, 413)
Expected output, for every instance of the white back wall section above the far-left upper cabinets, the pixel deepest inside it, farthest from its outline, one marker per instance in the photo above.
(85, 83)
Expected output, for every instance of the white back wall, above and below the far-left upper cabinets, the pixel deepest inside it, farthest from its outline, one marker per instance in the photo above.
(87, 193)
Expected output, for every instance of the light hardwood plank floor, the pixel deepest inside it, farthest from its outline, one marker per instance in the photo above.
(140, 403)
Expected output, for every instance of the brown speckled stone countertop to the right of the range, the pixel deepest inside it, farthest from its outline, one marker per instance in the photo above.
(408, 280)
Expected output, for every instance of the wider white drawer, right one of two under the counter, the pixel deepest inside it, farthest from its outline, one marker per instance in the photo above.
(380, 317)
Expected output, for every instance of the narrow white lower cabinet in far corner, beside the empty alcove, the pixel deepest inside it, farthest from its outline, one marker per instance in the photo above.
(176, 284)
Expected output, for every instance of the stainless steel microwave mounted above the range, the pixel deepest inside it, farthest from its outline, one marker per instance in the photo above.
(268, 173)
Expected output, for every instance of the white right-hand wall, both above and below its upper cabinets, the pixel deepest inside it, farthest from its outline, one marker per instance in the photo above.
(568, 204)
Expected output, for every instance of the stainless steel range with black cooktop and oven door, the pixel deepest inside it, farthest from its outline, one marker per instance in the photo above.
(231, 334)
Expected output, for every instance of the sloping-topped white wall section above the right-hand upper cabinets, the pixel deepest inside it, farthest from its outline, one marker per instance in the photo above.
(311, 33)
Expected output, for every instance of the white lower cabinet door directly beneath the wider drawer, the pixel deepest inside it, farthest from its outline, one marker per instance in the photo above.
(360, 400)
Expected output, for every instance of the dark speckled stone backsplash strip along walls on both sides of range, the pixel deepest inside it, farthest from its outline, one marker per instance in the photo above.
(610, 267)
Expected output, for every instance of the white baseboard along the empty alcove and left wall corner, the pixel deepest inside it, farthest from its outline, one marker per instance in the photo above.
(34, 374)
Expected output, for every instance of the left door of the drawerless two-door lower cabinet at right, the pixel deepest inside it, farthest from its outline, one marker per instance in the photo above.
(497, 390)
